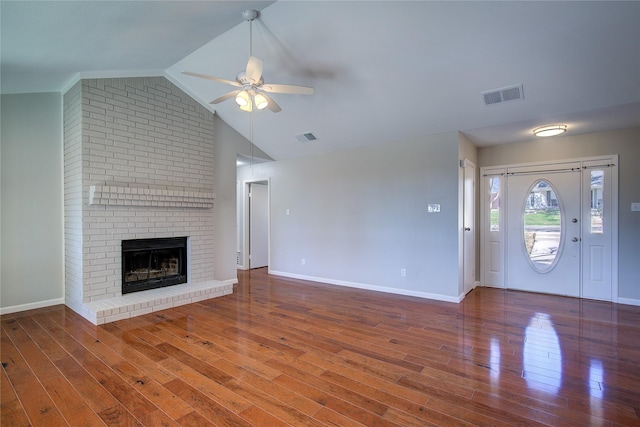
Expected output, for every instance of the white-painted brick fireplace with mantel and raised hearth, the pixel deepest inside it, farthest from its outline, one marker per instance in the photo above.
(138, 159)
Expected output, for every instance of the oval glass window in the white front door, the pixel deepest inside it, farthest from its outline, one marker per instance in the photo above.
(542, 226)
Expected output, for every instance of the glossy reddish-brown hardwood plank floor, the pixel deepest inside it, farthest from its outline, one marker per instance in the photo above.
(288, 352)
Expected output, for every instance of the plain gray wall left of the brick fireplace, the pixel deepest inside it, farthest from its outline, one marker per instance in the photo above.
(32, 272)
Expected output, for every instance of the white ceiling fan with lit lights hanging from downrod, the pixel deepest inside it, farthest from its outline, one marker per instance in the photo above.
(252, 90)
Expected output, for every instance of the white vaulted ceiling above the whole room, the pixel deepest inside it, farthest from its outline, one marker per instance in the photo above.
(382, 70)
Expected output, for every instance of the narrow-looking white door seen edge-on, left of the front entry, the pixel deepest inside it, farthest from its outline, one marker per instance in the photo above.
(469, 233)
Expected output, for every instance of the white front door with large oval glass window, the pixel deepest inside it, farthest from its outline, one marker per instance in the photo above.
(544, 225)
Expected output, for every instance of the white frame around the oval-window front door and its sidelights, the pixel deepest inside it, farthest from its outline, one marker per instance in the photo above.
(502, 171)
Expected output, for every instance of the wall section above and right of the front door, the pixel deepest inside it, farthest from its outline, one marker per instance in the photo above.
(626, 143)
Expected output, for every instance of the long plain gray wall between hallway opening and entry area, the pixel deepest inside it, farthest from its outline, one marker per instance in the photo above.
(358, 217)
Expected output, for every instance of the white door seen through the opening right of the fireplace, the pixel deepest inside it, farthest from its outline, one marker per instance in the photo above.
(258, 225)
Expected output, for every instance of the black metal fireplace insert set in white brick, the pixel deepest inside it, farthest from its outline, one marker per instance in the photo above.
(153, 263)
